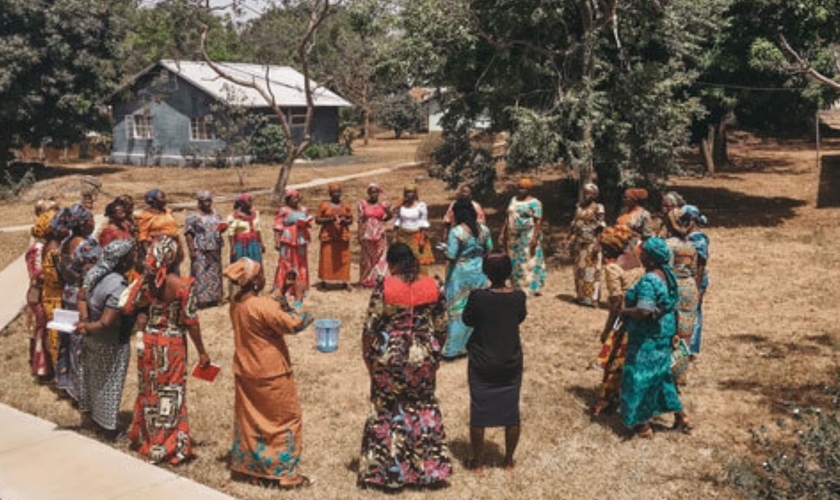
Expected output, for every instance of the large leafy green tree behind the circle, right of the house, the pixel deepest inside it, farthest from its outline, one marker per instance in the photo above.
(613, 76)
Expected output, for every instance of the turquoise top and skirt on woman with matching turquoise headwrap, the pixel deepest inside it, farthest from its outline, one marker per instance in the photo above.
(647, 385)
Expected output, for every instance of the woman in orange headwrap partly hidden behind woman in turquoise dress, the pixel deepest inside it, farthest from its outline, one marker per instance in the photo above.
(622, 270)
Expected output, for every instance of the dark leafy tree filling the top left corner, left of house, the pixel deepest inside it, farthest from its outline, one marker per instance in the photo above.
(57, 61)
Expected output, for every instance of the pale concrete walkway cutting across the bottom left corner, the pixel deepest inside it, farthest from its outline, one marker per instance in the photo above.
(38, 461)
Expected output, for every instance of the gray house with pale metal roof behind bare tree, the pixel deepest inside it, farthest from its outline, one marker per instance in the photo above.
(162, 116)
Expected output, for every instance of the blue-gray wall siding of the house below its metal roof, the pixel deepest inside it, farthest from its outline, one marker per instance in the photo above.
(171, 105)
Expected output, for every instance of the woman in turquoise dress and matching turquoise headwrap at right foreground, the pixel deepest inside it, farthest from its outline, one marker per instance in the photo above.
(647, 387)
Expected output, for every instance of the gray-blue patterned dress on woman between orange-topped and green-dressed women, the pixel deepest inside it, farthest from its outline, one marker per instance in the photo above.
(206, 268)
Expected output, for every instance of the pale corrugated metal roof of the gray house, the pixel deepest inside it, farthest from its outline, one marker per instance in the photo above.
(285, 83)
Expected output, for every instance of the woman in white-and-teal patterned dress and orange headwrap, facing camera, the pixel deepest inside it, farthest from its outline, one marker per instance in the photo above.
(522, 235)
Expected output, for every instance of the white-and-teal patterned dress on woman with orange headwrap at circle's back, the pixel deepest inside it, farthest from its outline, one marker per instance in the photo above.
(528, 270)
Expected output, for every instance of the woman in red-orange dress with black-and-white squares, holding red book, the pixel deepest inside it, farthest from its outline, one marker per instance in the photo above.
(166, 313)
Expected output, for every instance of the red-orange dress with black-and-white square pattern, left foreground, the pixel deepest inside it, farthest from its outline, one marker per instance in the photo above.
(160, 429)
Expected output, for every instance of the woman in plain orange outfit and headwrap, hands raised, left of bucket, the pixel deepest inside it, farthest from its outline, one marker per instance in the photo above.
(268, 429)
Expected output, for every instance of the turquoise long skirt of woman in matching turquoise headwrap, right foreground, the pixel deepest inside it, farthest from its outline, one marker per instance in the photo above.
(647, 385)
